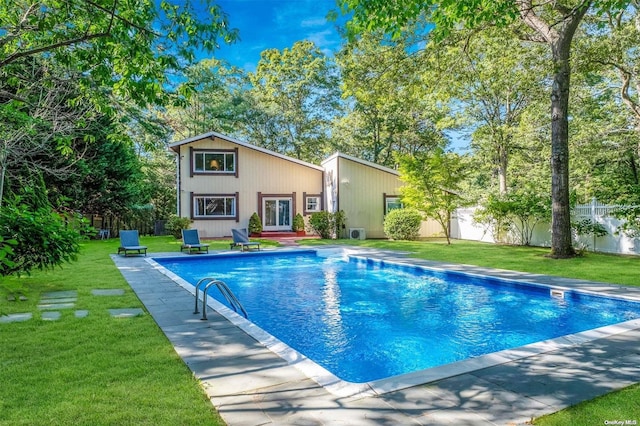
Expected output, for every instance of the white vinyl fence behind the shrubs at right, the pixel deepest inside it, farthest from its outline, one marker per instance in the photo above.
(464, 227)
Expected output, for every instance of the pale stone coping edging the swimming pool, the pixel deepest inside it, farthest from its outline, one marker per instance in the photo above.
(344, 388)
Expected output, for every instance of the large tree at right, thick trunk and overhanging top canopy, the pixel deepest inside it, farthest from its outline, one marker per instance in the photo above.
(552, 23)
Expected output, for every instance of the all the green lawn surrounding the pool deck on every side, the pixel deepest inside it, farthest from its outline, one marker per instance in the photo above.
(103, 370)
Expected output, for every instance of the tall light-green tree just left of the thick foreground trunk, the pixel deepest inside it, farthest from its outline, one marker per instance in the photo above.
(493, 79)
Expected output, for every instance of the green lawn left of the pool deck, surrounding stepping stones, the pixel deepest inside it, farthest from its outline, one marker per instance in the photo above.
(99, 369)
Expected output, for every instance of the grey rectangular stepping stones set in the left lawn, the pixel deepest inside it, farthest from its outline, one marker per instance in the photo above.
(52, 302)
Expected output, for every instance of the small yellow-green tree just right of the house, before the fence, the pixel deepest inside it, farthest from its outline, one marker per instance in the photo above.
(432, 184)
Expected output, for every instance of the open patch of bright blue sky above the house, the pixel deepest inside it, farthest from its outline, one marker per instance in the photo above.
(269, 24)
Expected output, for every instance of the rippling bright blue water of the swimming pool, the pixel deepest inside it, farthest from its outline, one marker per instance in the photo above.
(364, 320)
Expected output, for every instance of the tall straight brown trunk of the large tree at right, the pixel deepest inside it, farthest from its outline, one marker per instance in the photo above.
(561, 244)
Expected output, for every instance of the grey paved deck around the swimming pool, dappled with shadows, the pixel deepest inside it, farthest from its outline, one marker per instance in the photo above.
(250, 385)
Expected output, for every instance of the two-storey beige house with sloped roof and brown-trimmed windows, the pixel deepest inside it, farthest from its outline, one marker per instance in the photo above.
(222, 181)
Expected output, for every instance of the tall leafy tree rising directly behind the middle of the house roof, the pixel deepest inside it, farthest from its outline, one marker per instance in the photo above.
(296, 93)
